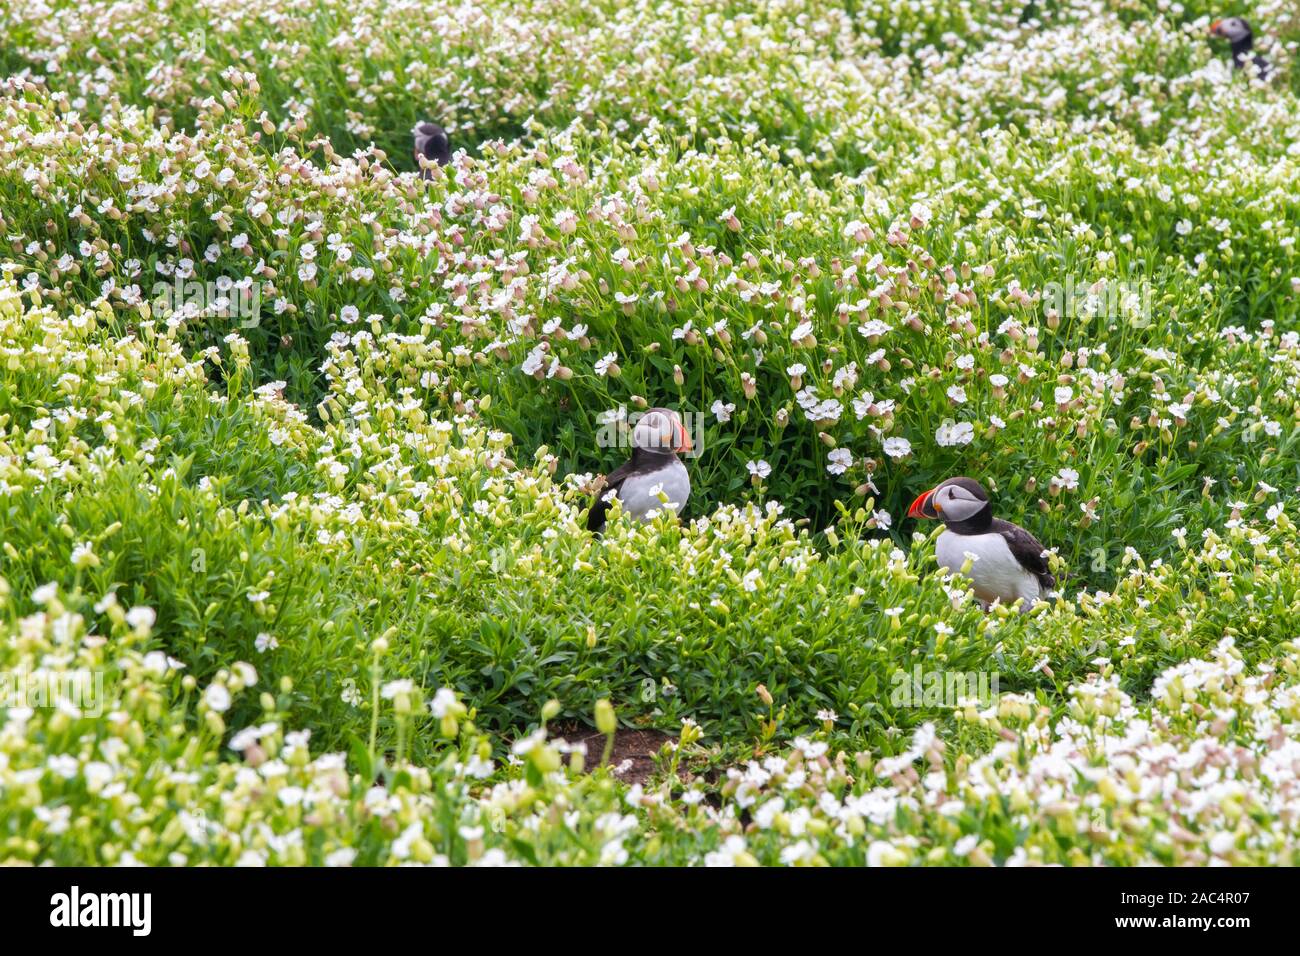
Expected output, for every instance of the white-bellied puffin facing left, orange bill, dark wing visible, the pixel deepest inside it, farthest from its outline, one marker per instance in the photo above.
(1009, 564)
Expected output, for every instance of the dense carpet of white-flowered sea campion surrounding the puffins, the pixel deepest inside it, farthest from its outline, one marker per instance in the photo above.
(314, 521)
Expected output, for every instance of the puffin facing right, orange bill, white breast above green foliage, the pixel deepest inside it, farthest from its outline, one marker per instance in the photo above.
(657, 440)
